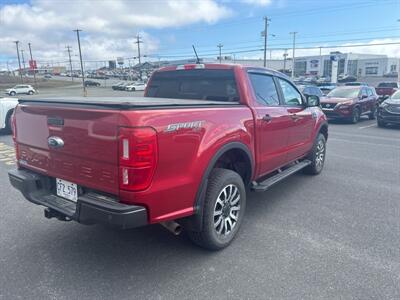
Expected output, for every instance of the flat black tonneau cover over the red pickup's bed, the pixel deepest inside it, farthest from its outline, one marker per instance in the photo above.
(126, 102)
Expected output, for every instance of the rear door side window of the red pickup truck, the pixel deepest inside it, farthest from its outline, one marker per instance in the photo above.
(264, 89)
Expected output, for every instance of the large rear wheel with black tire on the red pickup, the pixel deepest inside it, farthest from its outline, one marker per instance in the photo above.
(219, 181)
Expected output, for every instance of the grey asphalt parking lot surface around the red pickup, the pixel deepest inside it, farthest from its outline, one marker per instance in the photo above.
(336, 235)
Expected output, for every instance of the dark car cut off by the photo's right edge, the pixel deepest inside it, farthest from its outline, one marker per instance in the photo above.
(389, 111)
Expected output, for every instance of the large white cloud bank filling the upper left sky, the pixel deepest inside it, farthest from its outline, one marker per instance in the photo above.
(109, 27)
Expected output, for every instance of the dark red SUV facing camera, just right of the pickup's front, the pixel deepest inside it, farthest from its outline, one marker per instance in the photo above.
(350, 103)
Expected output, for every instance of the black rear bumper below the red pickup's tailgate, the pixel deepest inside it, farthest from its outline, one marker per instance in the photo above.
(91, 207)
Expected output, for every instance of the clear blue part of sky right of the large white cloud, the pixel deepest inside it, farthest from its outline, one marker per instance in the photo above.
(317, 23)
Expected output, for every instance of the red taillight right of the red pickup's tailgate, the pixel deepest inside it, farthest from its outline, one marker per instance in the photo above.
(137, 157)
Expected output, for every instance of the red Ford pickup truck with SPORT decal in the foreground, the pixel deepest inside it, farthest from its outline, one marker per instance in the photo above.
(182, 156)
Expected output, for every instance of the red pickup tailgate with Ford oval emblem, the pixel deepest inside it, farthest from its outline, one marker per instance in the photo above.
(89, 155)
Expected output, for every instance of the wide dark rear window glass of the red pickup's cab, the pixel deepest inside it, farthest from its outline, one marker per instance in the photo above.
(197, 84)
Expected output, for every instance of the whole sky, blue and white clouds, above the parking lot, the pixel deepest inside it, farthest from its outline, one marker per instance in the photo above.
(169, 28)
